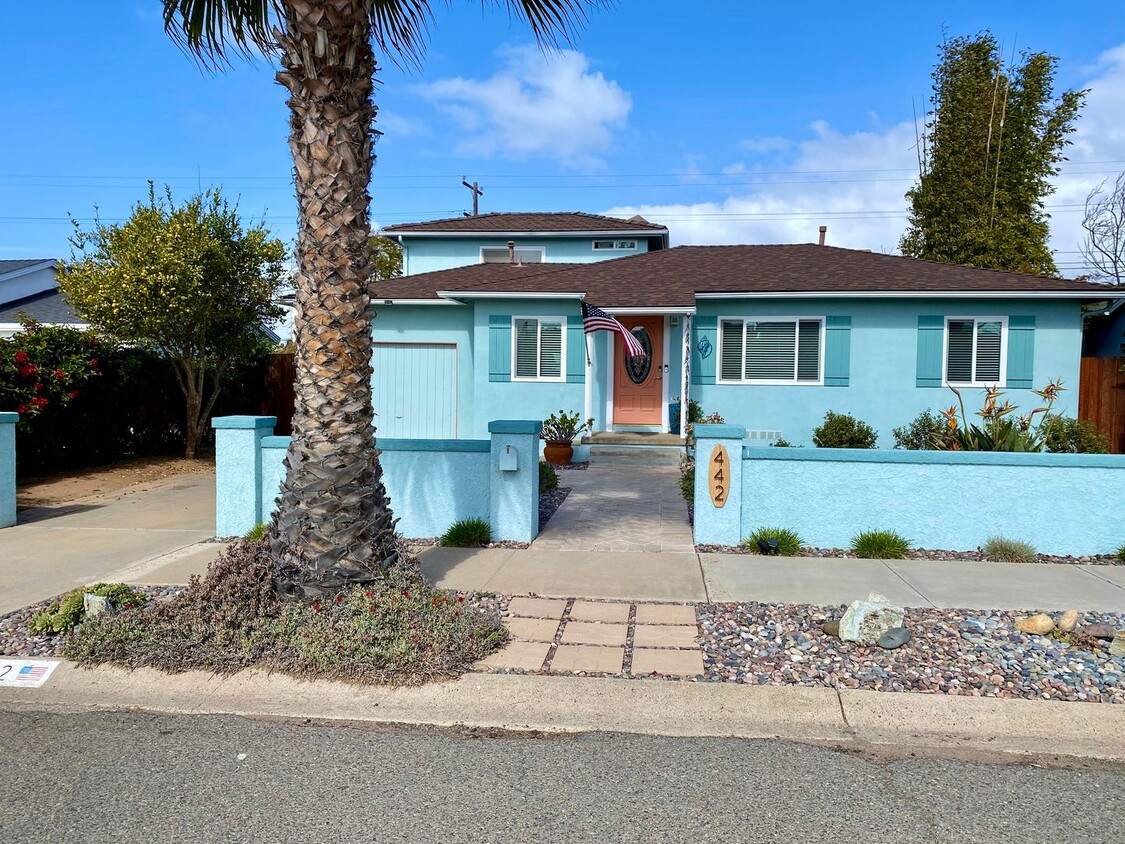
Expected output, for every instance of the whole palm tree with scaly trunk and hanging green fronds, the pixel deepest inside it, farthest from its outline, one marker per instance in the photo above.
(334, 526)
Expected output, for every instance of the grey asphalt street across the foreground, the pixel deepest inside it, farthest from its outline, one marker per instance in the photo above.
(128, 777)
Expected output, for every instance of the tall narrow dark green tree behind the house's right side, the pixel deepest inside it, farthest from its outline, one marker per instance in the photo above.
(994, 142)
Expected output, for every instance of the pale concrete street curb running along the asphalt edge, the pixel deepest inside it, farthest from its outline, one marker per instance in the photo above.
(895, 723)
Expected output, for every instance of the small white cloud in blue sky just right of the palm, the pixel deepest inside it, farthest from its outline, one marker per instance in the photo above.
(539, 105)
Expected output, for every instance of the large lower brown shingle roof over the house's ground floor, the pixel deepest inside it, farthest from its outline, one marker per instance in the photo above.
(672, 279)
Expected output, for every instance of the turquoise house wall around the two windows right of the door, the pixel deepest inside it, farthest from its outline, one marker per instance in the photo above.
(883, 366)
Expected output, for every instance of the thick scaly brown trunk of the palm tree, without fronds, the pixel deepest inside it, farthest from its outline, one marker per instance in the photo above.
(334, 526)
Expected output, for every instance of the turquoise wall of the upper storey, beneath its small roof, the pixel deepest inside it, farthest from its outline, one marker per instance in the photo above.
(427, 255)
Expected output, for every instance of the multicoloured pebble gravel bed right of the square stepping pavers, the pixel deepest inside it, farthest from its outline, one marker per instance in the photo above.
(952, 652)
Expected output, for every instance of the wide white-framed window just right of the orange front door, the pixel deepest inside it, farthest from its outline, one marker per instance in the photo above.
(776, 351)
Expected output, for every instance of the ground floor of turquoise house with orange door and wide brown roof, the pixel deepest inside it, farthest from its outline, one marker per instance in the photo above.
(771, 337)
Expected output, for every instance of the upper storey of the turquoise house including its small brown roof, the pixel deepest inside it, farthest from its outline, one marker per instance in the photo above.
(572, 238)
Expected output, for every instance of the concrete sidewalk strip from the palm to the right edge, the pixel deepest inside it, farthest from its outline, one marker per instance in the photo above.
(683, 577)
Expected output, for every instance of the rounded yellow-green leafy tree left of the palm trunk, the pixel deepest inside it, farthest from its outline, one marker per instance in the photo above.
(187, 280)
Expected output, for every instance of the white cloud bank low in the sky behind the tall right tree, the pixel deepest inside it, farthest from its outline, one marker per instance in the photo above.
(856, 184)
